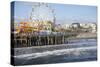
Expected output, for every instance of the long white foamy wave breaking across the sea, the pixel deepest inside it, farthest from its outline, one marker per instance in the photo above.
(71, 51)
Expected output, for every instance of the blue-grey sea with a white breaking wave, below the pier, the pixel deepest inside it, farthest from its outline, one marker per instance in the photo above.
(77, 50)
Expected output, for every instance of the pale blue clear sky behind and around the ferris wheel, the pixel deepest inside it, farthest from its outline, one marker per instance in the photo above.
(64, 13)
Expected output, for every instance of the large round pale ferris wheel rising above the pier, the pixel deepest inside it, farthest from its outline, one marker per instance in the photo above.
(42, 12)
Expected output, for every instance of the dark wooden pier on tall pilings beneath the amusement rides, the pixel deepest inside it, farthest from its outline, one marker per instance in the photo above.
(30, 39)
